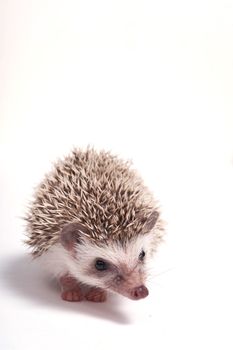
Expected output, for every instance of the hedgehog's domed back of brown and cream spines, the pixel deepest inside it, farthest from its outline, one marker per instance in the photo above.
(95, 189)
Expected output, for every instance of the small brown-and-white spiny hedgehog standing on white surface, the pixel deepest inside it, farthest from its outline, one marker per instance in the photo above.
(94, 226)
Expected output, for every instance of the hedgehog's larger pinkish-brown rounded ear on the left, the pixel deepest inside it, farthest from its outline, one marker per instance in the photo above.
(70, 234)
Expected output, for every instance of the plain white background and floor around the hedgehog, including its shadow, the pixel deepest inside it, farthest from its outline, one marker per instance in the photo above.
(151, 81)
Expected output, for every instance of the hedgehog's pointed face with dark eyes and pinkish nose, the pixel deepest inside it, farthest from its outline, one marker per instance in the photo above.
(121, 268)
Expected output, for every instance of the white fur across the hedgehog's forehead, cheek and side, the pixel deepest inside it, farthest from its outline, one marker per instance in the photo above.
(60, 261)
